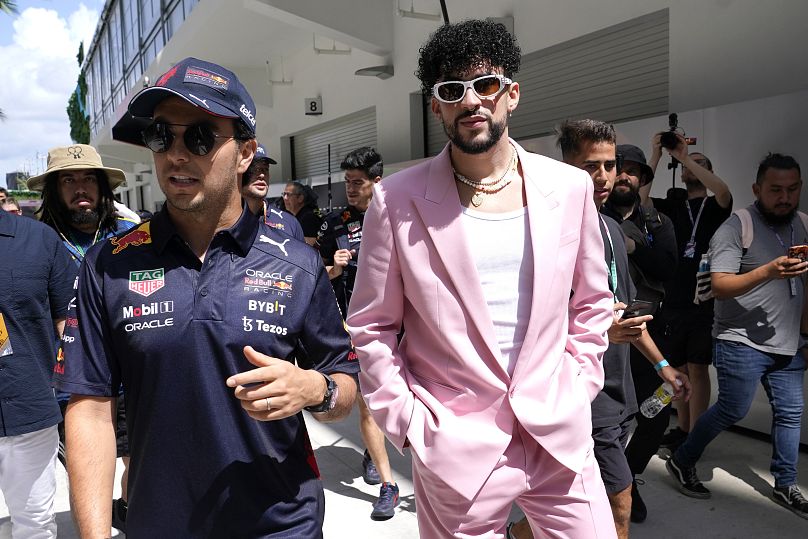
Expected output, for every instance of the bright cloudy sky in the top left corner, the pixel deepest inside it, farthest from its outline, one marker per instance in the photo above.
(38, 47)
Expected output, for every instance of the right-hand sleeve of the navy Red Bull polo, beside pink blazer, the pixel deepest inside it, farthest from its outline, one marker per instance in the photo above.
(324, 335)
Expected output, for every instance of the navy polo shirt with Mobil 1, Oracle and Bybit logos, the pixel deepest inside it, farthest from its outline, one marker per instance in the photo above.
(172, 330)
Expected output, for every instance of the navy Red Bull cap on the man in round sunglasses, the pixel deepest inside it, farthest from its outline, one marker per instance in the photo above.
(206, 85)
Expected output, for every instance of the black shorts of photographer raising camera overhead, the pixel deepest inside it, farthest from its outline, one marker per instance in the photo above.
(685, 335)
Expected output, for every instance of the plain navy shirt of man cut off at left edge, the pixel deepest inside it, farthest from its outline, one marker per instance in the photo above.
(36, 285)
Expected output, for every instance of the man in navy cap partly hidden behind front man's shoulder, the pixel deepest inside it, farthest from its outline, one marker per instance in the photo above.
(254, 189)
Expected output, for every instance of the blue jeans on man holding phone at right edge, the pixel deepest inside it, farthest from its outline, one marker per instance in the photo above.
(739, 367)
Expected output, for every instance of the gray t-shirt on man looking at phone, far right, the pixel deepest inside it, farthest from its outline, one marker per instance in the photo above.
(767, 318)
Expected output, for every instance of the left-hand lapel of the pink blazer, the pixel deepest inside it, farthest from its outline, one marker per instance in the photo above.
(440, 212)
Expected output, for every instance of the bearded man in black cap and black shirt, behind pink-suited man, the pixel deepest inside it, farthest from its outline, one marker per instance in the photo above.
(652, 258)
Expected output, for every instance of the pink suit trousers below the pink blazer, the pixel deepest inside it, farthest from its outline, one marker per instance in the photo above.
(558, 502)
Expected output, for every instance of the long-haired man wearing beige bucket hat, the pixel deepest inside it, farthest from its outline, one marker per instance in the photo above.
(77, 202)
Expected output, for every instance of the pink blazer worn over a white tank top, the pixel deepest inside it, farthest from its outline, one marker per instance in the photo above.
(442, 387)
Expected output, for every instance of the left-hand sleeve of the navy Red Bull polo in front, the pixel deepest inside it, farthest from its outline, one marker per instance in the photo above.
(88, 366)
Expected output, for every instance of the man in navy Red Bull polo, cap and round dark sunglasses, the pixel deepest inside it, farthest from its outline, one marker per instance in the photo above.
(197, 313)
